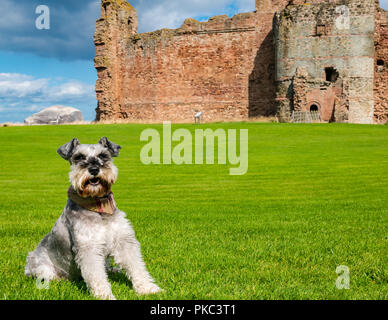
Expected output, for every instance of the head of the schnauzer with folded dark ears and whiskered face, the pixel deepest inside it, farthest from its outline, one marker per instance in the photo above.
(92, 172)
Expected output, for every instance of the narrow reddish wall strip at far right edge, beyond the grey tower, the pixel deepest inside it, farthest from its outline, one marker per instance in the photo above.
(381, 67)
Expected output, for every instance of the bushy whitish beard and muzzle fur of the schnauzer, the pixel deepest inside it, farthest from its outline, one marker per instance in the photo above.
(87, 185)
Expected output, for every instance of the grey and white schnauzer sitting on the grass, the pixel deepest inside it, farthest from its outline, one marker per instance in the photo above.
(83, 239)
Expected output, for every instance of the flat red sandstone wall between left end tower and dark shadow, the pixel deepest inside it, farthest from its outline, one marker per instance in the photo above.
(172, 75)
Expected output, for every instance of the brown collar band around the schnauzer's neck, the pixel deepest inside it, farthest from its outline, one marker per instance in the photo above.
(102, 205)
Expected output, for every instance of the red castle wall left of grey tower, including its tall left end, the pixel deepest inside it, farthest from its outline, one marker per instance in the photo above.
(223, 67)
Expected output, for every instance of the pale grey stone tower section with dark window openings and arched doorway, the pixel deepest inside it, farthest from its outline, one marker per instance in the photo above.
(320, 36)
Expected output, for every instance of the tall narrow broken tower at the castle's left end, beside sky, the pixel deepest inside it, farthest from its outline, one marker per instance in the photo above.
(118, 18)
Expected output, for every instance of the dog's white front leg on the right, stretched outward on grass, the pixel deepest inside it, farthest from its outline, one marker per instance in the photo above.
(128, 256)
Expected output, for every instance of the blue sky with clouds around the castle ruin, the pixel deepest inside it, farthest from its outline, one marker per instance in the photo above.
(40, 68)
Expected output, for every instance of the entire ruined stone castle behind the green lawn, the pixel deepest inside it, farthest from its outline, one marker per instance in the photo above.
(289, 56)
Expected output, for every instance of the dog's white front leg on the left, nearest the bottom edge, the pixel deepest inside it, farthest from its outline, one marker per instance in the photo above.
(92, 266)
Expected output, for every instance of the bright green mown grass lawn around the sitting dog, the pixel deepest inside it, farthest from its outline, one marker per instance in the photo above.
(315, 197)
